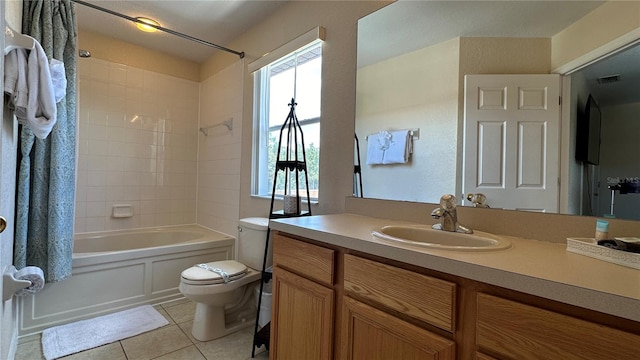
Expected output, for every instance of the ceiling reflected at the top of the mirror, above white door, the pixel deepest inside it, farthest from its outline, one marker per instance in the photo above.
(409, 25)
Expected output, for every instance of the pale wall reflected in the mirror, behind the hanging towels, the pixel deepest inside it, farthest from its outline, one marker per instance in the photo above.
(418, 90)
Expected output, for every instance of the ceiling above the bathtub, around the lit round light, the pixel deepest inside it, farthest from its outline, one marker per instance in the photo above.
(215, 21)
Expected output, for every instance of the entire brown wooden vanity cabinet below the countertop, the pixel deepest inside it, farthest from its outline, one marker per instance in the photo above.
(332, 302)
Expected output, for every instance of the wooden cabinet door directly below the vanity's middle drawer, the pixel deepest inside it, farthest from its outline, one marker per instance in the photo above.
(371, 334)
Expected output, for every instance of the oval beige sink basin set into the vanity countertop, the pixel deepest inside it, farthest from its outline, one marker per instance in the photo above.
(424, 235)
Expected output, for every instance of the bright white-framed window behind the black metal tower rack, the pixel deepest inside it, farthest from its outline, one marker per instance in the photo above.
(298, 76)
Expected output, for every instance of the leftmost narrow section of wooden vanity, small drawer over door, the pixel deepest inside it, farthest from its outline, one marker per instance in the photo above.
(303, 301)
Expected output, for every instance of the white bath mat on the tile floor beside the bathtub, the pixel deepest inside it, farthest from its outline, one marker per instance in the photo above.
(82, 335)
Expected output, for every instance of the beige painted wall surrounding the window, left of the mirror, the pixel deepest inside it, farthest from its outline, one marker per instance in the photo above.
(338, 91)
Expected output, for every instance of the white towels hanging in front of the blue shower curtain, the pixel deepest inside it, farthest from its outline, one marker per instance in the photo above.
(34, 105)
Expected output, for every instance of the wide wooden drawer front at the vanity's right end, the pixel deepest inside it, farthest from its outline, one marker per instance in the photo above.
(517, 331)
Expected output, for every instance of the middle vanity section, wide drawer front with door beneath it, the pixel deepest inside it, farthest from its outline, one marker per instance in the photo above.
(391, 289)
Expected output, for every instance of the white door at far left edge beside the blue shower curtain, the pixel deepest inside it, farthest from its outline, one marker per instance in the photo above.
(8, 151)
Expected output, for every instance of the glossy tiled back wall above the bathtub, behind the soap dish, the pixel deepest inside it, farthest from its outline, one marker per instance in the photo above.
(137, 146)
